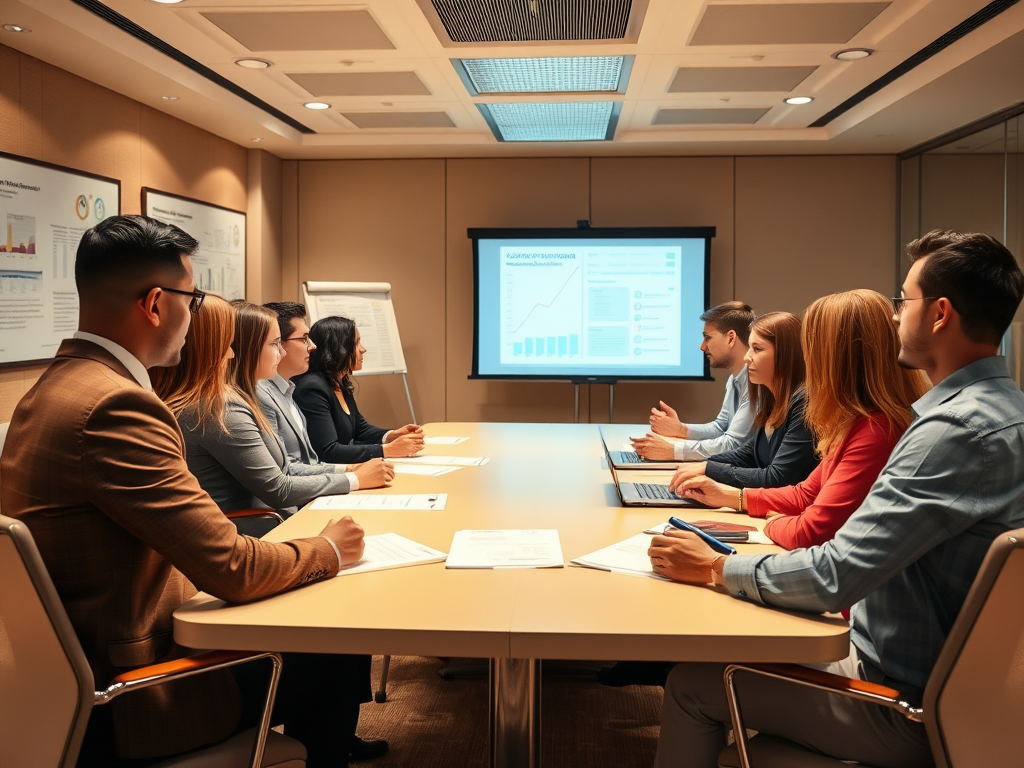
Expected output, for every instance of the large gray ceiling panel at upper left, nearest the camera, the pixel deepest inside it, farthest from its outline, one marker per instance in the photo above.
(346, 30)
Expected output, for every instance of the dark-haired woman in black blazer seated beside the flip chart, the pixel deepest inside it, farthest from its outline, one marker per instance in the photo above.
(337, 431)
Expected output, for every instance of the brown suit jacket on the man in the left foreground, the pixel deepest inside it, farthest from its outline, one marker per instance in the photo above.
(95, 466)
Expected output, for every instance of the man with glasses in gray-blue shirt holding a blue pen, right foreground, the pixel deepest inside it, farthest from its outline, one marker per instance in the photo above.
(908, 558)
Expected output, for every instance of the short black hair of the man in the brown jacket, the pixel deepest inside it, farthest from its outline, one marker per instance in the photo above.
(129, 250)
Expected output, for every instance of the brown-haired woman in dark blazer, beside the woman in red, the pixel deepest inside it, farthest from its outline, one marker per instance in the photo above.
(782, 452)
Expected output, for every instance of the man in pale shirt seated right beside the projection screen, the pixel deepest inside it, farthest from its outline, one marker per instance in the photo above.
(728, 328)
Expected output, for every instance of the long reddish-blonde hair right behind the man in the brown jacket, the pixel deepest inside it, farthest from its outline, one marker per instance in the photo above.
(198, 382)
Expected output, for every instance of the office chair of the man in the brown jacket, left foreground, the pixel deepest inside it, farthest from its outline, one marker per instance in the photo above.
(49, 690)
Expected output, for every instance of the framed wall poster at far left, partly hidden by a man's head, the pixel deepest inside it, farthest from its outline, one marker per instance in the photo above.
(45, 211)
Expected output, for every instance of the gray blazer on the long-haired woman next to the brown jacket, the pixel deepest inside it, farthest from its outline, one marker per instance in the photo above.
(245, 467)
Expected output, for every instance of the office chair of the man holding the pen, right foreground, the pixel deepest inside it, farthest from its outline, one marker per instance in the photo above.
(974, 701)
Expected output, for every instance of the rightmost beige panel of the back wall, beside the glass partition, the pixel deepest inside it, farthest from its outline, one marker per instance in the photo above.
(810, 227)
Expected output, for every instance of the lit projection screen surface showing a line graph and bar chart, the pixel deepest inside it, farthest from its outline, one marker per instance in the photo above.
(609, 308)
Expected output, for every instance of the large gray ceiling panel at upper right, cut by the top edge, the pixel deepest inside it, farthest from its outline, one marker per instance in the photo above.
(784, 25)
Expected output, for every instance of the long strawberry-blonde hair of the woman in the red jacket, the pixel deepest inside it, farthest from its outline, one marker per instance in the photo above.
(851, 348)
